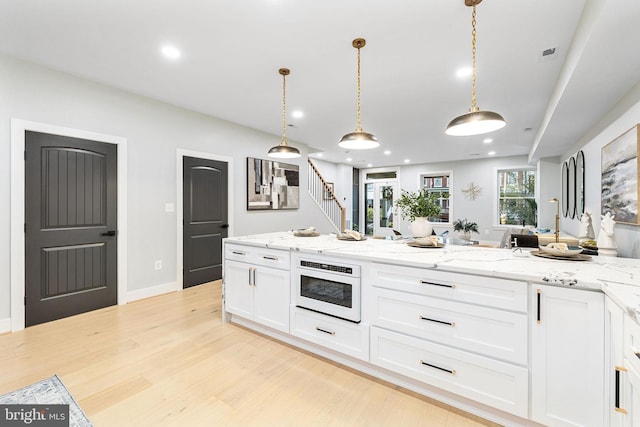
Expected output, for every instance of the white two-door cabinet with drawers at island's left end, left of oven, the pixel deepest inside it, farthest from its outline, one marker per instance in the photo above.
(258, 287)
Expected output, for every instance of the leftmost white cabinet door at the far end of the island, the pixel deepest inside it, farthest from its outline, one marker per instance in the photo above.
(238, 291)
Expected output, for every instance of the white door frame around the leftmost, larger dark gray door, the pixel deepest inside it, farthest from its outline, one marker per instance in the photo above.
(18, 262)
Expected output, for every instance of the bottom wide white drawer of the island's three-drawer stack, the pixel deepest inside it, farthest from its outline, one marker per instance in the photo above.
(498, 384)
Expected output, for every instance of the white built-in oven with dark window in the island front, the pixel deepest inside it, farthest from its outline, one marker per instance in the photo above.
(328, 287)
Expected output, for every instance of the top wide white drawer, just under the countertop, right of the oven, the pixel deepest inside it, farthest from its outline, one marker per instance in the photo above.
(488, 291)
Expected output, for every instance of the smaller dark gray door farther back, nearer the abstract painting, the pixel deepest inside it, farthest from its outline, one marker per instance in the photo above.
(205, 219)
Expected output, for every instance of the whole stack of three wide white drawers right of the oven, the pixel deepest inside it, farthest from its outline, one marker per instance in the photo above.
(461, 333)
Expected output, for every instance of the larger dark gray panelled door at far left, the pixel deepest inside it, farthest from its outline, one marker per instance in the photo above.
(71, 226)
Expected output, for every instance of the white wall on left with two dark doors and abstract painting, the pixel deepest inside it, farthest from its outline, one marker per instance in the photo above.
(154, 132)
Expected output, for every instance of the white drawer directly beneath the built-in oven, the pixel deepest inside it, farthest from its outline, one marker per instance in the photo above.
(336, 334)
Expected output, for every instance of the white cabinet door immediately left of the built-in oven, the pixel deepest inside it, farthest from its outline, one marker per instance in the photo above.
(271, 298)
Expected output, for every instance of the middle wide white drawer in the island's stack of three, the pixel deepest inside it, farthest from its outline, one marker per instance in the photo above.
(494, 333)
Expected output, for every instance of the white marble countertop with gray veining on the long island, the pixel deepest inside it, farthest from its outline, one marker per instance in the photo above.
(619, 278)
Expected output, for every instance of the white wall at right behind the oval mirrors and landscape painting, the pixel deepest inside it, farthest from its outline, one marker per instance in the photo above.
(622, 118)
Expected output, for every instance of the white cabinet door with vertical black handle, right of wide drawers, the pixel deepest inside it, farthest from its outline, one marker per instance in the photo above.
(567, 356)
